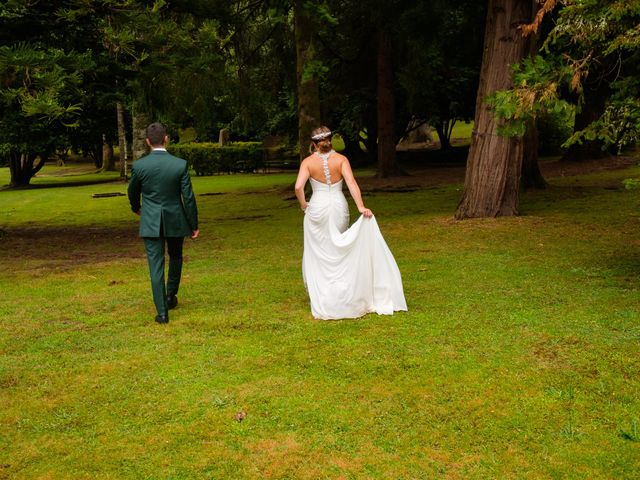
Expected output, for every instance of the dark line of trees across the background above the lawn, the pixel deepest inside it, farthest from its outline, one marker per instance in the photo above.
(85, 74)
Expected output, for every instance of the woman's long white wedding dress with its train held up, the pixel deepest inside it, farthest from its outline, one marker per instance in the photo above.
(348, 272)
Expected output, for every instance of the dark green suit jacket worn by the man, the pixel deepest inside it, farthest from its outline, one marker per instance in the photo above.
(168, 206)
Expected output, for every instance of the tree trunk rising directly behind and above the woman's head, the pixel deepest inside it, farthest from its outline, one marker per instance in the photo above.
(308, 88)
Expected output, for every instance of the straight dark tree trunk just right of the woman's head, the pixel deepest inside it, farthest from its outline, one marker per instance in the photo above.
(386, 107)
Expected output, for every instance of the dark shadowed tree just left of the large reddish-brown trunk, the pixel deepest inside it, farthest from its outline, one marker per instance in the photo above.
(441, 62)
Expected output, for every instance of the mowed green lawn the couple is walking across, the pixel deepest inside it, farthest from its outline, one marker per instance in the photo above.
(518, 357)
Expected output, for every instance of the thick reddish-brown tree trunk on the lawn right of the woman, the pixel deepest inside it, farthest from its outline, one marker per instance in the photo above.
(495, 162)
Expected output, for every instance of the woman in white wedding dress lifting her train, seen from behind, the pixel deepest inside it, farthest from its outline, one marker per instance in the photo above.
(348, 271)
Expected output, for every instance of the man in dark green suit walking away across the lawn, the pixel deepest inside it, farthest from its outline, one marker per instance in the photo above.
(168, 214)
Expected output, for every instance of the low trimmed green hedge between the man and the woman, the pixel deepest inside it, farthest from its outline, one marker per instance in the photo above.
(210, 158)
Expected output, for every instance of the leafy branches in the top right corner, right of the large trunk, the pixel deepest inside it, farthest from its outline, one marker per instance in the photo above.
(598, 40)
